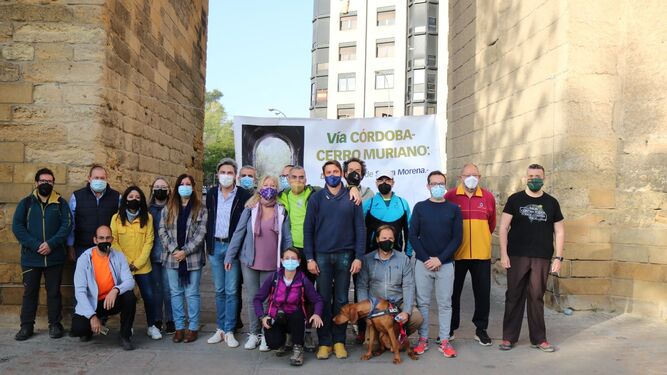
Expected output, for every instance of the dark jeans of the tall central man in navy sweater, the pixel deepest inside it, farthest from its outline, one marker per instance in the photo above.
(333, 284)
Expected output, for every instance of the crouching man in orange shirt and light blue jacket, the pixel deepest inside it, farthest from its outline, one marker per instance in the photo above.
(103, 286)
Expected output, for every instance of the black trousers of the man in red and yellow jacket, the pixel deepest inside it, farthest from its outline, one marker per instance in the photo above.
(480, 274)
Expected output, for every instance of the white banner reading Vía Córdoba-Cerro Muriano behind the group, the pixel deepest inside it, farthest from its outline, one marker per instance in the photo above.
(408, 146)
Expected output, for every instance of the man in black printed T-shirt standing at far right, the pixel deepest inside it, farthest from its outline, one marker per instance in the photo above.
(530, 221)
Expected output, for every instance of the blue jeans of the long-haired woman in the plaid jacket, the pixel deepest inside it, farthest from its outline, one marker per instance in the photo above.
(178, 293)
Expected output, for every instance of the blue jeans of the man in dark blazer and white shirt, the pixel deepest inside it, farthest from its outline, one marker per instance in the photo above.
(226, 287)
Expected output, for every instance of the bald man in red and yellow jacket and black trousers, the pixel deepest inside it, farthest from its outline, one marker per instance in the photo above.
(478, 207)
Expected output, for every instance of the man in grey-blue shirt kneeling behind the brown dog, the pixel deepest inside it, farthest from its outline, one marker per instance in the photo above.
(388, 275)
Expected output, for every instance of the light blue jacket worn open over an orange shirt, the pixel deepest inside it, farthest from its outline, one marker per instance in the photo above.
(85, 286)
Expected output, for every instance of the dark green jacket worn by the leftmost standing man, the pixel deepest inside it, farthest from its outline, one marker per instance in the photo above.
(35, 223)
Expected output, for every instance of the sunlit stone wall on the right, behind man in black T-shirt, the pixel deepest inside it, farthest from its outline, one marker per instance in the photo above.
(578, 87)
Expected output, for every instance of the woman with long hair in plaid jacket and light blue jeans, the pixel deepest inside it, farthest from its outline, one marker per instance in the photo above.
(182, 231)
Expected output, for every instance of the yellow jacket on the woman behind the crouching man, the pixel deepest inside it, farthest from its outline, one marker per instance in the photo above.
(134, 242)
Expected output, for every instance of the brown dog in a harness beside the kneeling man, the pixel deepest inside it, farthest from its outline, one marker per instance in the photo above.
(383, 326)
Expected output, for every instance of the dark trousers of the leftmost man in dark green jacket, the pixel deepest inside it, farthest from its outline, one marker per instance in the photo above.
(32, 277)
